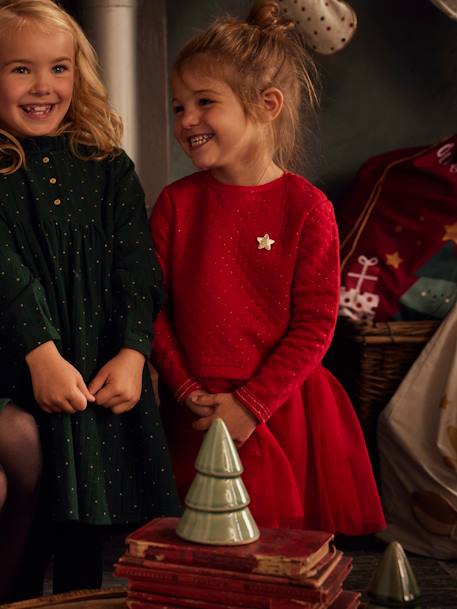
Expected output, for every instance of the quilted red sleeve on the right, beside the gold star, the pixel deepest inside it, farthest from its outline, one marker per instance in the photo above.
(314, 307)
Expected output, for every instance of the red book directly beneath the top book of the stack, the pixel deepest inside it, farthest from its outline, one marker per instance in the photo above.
(235, 591)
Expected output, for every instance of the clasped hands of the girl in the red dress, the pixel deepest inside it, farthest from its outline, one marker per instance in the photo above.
(240, 421)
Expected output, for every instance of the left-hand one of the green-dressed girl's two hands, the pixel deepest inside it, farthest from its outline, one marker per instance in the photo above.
(57, 385)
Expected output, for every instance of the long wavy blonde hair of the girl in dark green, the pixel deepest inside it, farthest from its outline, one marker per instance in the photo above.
(90, 122)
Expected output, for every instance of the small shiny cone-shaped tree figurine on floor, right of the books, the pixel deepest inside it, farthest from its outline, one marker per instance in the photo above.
(393, 583)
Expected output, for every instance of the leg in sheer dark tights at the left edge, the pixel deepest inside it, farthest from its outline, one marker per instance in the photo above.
(20, 462)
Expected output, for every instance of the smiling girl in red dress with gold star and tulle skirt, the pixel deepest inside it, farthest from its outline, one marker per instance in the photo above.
(249, 252)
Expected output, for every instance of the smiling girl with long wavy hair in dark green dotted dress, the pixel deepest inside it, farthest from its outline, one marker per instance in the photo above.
(77, 296)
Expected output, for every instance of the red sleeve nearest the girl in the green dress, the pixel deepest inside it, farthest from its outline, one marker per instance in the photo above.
(167, 354)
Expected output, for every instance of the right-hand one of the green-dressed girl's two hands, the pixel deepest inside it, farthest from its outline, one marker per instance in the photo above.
(118, 384)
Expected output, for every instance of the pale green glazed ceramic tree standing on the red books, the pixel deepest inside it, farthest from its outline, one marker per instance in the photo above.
(217, 510)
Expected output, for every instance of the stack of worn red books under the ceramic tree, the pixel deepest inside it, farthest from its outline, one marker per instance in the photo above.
(284, 569)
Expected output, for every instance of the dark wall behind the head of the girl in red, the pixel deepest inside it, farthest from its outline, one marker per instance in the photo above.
(395, 85)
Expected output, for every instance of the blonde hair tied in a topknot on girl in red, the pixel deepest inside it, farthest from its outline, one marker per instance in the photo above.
(264, 51)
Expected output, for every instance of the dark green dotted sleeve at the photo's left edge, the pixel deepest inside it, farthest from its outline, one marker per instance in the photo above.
(25, 319)
